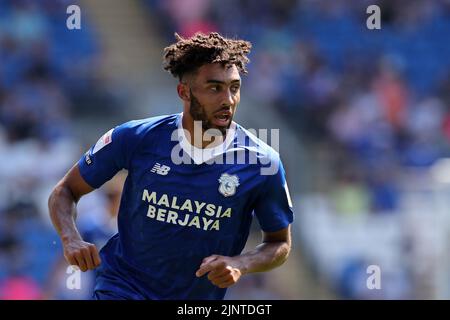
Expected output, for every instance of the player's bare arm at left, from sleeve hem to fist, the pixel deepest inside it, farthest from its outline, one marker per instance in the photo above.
(62, 206)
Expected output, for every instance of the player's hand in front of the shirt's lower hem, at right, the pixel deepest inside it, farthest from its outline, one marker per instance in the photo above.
(222, 271)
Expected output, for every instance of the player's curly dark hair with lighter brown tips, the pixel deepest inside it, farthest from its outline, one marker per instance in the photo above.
(187, 55)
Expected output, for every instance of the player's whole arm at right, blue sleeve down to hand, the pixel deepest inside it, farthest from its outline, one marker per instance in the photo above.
(273, 209)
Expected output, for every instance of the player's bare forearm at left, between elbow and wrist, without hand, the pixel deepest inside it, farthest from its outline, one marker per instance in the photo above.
(62, 207)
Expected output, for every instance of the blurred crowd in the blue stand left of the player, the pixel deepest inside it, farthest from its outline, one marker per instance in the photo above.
(47, 77)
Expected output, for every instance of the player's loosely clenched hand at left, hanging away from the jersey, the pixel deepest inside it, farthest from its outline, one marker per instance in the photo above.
(82, 254)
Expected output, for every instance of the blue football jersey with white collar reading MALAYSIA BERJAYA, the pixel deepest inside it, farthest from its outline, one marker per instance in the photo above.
(181, 204)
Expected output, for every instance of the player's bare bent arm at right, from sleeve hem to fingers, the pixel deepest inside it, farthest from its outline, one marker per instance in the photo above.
(225, 271)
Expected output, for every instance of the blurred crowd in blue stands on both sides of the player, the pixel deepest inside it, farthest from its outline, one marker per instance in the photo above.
(375, 102)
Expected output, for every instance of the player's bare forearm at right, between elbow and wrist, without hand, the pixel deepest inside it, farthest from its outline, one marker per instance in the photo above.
(264, 257)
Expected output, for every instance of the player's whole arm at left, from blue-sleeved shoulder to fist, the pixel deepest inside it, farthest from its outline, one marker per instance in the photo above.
(100, 163)
